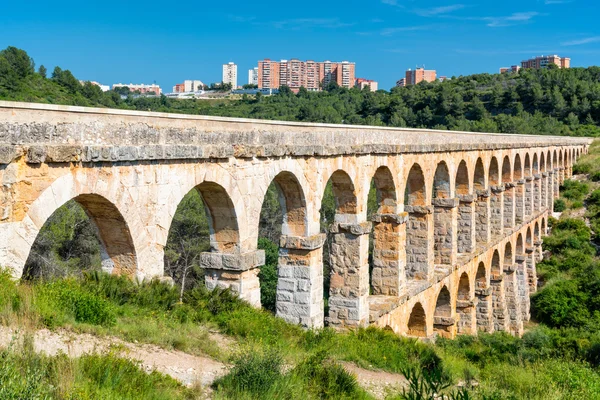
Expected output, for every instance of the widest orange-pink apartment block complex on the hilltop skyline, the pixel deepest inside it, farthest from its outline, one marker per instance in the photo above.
(308, 74)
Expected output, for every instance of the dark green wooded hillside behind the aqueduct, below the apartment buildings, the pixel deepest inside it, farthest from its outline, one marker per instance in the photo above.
(552, 101)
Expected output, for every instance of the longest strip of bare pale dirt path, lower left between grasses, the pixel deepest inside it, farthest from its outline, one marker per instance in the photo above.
(186, 368)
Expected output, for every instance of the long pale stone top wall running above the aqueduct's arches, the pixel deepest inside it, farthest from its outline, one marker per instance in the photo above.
(123, 135)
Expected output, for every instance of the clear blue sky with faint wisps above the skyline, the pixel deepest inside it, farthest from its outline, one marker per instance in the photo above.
(145, 41)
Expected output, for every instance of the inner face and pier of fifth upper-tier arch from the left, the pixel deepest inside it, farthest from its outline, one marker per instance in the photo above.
(388, 260)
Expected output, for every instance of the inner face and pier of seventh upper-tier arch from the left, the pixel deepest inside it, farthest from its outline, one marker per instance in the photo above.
(444, 216)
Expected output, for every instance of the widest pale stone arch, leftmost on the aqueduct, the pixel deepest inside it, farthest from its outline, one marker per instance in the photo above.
(109, 211)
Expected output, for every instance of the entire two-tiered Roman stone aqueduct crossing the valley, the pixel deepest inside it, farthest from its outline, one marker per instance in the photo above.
(456, 237)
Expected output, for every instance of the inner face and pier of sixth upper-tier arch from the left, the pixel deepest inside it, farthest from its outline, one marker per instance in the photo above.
(419, 251)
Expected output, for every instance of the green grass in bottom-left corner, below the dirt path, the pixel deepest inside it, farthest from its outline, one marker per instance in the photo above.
(25, 374)
